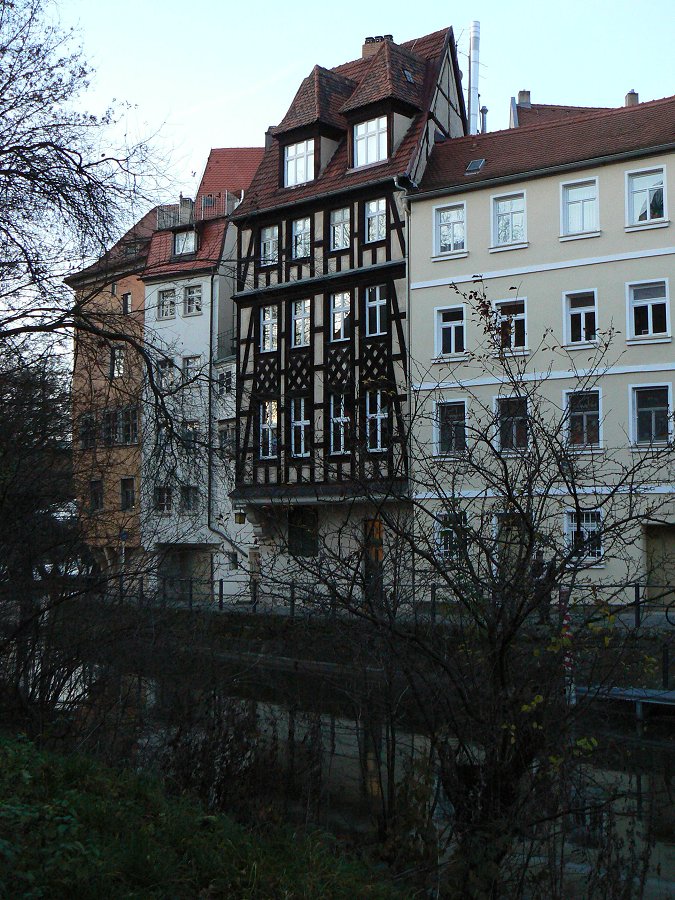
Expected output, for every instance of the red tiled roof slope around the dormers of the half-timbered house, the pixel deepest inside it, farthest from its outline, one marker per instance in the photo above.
(265, 192)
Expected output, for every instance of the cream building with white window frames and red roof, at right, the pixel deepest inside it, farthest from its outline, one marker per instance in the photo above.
(541, 264)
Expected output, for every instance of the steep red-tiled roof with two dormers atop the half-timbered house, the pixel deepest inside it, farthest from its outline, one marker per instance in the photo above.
(265, 192)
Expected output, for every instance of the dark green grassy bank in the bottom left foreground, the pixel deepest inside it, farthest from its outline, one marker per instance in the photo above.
(70, 827)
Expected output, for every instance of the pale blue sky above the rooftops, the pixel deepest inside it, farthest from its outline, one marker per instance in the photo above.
(216, 74)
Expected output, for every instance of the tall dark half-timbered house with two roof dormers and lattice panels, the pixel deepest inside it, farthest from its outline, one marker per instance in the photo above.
(321, 289)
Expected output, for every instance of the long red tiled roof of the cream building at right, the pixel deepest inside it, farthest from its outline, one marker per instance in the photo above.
(567, 141)
